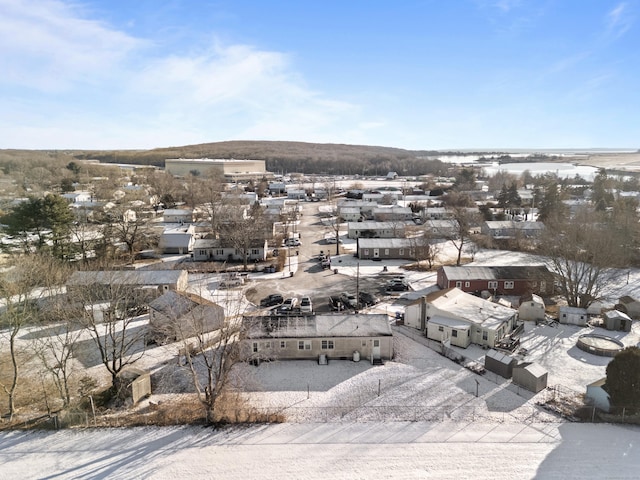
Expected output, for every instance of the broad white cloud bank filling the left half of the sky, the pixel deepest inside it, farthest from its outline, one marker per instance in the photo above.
(97, 87)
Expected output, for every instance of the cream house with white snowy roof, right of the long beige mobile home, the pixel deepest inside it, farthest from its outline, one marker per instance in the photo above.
(460, 318)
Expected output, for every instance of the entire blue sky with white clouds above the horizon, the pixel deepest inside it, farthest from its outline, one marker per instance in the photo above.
(429, 74)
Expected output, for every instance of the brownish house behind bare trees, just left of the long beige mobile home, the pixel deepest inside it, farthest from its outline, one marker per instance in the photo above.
(175, 316)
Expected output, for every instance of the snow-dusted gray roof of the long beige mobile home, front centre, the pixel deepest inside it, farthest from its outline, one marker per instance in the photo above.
(327, 325)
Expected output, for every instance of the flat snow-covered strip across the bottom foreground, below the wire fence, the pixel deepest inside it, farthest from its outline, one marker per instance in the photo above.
(324, 451)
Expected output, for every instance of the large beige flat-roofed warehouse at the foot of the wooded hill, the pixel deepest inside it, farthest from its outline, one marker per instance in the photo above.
(231, 169)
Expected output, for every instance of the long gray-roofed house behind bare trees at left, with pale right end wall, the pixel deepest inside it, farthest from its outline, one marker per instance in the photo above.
(103, 284)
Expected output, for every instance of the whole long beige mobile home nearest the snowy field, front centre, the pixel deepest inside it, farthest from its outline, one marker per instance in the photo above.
(338, 336)
